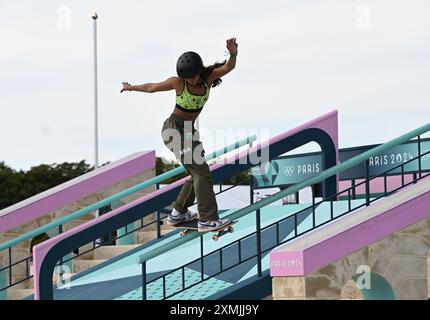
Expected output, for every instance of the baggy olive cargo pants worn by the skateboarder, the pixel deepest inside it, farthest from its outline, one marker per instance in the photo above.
(178, 136)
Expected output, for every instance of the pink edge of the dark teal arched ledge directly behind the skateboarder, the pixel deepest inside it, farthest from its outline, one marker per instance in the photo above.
(327, 123)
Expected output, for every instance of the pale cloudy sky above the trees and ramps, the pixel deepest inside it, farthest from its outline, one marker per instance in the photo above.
(297, 60)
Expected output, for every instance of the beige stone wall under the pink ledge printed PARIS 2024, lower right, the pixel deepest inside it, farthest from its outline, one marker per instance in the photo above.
(401, 258)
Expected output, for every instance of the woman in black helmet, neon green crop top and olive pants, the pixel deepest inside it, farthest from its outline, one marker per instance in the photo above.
(192, 86)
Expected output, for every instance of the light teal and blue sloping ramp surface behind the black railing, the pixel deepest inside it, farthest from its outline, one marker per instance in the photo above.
(120, 278)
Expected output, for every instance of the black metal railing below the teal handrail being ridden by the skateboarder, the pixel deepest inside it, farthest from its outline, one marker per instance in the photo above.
(295, 221)
